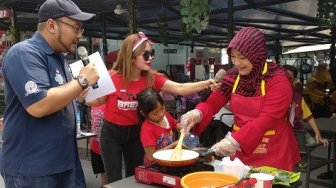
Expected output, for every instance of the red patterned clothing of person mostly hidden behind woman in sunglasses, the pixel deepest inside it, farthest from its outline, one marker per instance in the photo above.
(97, 115)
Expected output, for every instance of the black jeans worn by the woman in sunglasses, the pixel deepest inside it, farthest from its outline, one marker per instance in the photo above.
(119, 142)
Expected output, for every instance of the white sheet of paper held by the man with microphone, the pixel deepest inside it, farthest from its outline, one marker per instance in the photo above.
(105, 84)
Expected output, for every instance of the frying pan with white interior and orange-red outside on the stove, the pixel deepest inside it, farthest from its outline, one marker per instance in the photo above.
(189, 157)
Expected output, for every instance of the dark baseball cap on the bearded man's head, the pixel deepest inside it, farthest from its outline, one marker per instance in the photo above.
(59, 8)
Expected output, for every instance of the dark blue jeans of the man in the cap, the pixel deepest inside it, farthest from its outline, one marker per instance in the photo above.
(61, 180)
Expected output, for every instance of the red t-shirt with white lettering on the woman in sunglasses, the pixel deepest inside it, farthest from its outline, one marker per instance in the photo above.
(121, 106)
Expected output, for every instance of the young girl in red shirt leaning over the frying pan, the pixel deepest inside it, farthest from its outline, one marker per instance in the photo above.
(157, 124)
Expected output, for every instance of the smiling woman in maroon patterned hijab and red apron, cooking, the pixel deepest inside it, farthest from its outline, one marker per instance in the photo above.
(259, 94)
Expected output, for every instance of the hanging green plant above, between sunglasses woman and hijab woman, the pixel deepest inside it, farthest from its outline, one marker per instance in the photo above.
(195, 15)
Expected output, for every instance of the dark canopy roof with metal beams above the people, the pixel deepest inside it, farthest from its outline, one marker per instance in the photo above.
(285, 22)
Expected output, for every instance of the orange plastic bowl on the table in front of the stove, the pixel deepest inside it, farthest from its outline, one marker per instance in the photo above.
(207, 179)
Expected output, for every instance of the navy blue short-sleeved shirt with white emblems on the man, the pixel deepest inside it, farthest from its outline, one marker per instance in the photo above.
(36, 146)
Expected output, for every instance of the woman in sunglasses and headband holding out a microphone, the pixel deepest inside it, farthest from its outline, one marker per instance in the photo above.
(131, 73)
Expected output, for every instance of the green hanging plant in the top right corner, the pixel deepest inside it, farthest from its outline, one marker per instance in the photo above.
(326, 12)
